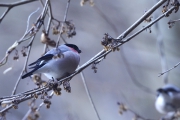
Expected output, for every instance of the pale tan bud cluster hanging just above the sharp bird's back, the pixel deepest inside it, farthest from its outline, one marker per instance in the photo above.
(46, 40)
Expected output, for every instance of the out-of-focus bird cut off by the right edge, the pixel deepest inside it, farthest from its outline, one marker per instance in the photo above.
(168, 99)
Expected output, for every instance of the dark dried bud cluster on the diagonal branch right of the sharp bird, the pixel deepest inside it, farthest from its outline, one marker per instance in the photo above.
(110, 43)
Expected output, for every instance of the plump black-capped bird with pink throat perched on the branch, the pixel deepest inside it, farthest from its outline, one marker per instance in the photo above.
(56, 68)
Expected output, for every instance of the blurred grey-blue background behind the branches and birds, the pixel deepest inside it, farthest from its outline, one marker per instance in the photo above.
(138, 60)
